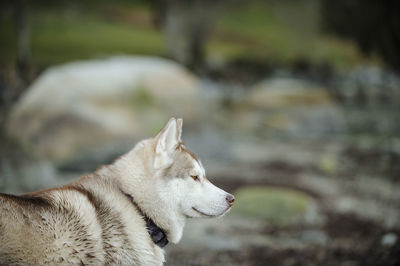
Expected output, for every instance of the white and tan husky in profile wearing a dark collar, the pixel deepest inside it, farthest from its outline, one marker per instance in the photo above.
(123, 213)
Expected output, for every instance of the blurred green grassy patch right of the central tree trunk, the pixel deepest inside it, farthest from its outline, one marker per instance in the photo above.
(255, 31)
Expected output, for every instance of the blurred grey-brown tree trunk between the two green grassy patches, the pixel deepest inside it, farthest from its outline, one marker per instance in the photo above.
(186, 25)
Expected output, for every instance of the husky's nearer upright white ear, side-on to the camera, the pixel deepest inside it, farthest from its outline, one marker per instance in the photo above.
(166, 143)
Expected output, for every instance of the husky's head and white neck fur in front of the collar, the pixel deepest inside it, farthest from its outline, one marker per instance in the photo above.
(158, 176)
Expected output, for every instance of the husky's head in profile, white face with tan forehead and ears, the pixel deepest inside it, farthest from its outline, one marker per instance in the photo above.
(182, 179)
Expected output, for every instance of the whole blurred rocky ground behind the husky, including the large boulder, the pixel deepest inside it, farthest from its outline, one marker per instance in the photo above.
(314, 166)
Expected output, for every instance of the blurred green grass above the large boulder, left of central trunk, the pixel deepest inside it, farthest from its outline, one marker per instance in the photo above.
(59, 37)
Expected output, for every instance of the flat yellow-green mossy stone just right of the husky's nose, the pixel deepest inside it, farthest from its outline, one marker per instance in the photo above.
(278, 206)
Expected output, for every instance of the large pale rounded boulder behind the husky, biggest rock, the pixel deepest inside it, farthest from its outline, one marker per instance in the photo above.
(101, 105)
